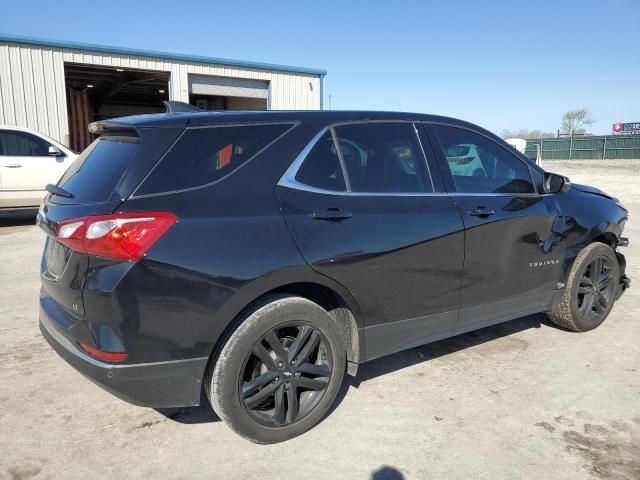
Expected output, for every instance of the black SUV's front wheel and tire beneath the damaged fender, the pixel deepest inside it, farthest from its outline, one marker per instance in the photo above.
(589, 294)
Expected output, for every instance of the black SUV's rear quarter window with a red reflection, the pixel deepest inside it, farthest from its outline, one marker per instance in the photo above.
(204, 155)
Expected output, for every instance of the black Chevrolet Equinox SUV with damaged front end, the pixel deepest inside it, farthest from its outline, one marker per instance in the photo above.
(261, 255)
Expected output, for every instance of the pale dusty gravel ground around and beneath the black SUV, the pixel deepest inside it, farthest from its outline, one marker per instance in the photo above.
(522, 400)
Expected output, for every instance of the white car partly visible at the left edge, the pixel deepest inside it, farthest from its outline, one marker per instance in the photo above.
(28, 162)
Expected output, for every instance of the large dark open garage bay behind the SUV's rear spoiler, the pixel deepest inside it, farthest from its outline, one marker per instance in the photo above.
(99, 93)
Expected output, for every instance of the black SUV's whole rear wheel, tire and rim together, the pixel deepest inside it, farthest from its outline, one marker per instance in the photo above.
(267, 392)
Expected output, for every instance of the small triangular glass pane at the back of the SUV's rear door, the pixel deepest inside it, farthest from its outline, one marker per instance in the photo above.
(321, 167)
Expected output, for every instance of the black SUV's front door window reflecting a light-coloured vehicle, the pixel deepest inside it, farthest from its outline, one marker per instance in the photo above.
(479, 165)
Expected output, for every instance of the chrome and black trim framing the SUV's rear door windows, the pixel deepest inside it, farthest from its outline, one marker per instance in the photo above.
(289, 180)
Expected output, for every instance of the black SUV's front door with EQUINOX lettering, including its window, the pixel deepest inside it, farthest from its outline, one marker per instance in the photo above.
(514, 237)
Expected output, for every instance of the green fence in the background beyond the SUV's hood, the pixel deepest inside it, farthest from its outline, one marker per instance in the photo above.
(604, 147)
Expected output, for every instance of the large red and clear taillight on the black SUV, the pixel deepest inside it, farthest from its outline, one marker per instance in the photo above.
(123, 236)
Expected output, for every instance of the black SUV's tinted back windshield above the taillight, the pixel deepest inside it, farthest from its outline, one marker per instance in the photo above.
(96, 173)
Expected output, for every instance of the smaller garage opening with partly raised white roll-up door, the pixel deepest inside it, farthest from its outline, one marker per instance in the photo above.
(209, 92)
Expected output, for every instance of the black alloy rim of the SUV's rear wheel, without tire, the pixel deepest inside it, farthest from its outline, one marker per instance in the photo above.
(286, 374)
